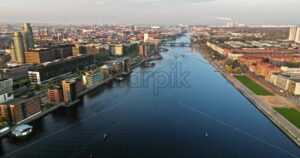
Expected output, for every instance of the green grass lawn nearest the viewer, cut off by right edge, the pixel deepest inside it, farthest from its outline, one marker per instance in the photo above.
(290, 114)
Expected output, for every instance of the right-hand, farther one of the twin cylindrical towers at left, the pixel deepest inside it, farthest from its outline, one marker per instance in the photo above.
(28, 37)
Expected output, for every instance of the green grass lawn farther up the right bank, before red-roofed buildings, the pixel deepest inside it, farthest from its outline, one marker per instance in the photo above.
(253, 86)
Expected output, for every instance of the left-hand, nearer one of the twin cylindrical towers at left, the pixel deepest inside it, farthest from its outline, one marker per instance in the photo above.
(19, 48)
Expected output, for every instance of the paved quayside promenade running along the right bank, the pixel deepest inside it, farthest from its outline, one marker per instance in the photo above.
(284, 125)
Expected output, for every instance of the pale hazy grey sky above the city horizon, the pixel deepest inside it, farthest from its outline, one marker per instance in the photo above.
(160, 12)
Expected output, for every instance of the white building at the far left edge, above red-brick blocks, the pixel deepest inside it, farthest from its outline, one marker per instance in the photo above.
(6, 90)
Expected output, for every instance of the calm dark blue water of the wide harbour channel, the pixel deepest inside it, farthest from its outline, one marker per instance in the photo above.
(204, 117)
